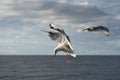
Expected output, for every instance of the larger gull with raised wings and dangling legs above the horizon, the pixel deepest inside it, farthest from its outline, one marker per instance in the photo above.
(63, 41)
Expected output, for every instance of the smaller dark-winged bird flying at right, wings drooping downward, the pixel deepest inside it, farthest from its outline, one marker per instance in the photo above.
(98, 29)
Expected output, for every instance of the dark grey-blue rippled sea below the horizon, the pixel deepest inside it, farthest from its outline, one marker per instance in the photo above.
(55, 68)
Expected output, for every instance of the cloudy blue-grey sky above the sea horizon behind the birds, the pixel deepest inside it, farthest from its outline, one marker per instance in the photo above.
(22, 20)
